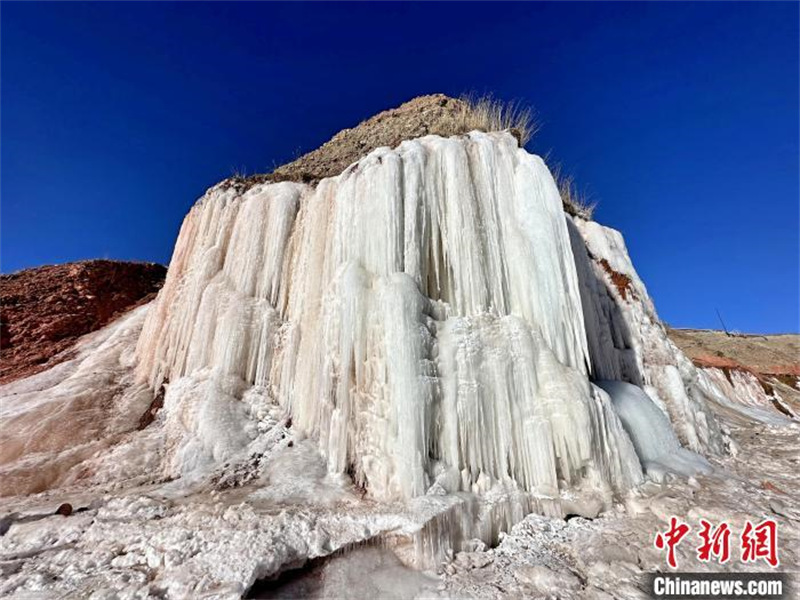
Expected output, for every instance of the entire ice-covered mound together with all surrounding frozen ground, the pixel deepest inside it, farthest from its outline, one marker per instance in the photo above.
(422, 367)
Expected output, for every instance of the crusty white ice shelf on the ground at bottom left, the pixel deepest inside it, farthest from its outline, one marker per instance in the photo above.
(174, 541)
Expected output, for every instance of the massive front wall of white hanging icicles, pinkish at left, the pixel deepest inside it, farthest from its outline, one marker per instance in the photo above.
(419, 315)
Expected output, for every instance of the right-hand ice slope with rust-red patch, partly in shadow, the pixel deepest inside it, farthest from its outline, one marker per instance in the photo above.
(627, 341)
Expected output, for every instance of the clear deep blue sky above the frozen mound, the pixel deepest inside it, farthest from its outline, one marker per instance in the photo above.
(681, 119)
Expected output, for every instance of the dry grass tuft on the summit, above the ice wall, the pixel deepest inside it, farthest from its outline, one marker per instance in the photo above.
(487, 113)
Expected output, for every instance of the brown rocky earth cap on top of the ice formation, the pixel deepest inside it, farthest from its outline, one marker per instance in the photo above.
(434, 114)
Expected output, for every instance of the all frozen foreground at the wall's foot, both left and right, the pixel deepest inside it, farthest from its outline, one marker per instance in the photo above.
(160, 540)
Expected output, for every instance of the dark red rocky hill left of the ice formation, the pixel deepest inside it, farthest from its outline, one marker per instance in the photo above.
(46, 309)
